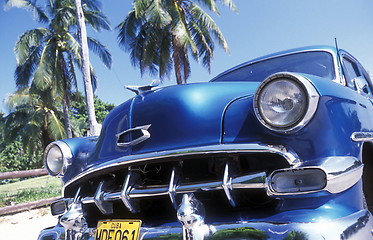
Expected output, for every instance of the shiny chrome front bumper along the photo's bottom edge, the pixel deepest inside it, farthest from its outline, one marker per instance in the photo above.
(357, 226)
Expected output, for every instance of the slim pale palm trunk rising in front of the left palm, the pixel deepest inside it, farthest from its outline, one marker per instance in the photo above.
(94, 128)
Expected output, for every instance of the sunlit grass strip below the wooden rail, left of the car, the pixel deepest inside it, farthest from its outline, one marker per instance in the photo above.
(29, 190)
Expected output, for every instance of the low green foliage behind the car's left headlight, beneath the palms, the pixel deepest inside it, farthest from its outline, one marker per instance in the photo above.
(32, 124)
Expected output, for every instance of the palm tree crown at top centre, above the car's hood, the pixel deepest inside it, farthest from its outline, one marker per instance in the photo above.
(159, 34)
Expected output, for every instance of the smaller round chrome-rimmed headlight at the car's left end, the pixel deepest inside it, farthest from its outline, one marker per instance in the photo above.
(62, 163)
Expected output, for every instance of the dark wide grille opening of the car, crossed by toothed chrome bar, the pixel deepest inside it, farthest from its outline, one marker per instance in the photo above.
(156, 187)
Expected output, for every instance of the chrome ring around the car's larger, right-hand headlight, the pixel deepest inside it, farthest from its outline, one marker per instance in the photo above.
(309, 108)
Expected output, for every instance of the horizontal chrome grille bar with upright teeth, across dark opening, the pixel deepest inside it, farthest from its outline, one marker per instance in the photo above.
(131, 192)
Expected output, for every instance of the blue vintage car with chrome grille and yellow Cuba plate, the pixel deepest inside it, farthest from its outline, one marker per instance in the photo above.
(276, 148)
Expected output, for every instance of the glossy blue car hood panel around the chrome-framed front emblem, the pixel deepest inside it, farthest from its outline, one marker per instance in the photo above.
(175, 117)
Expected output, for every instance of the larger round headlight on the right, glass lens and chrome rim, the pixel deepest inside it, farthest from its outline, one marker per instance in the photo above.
(283, 102)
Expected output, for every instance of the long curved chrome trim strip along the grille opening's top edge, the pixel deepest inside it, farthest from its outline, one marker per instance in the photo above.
(290, 156)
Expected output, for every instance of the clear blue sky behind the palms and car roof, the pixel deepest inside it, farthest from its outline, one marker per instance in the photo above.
(260, 27)
